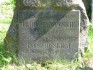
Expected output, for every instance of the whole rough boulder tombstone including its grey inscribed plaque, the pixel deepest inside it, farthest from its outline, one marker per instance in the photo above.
(46, 30)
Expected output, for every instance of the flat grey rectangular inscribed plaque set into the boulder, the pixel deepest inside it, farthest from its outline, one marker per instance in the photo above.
(48, 34)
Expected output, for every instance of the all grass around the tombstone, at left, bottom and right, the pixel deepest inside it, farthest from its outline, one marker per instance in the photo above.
(8, 60)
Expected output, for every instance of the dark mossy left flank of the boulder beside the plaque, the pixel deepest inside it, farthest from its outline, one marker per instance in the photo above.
(11, 39)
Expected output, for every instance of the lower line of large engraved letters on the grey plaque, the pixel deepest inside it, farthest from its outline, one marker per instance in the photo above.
(48, 45)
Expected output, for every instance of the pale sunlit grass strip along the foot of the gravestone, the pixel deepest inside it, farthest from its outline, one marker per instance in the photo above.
(57, 65)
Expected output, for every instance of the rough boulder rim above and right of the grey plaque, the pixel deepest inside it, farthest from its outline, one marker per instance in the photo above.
(66, 5)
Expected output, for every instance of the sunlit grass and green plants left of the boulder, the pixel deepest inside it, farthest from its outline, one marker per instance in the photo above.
(6, 14)
